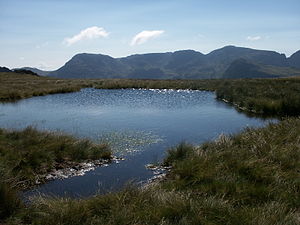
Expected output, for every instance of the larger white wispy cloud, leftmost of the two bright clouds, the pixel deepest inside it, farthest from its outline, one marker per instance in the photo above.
(88, 33)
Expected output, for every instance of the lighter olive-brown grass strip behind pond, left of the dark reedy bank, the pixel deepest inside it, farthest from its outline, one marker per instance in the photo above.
(14, 86)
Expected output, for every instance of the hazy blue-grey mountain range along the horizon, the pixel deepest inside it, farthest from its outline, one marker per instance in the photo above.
(226, 62)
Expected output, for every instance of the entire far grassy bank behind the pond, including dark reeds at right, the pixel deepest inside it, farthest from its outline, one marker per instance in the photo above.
(270, 97)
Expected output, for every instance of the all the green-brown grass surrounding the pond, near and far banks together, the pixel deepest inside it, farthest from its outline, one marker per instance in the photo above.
(247, 178)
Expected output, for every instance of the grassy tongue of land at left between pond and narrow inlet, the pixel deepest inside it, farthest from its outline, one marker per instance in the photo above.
(28, 153)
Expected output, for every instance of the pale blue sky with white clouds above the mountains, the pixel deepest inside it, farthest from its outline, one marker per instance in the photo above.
(47, 33)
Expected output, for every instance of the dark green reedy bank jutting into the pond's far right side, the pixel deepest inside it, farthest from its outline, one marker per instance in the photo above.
(278, 97)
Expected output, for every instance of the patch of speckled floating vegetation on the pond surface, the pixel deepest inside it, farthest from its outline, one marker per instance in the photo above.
(129, 141)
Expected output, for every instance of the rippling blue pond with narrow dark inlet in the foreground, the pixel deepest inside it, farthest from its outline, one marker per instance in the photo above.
(139, 124)
